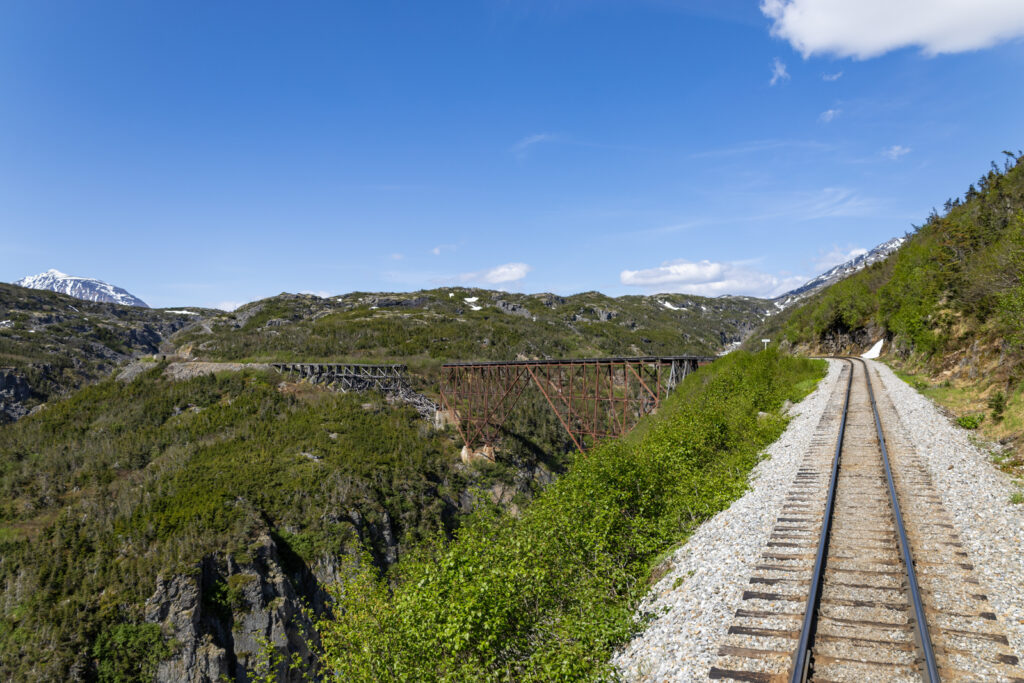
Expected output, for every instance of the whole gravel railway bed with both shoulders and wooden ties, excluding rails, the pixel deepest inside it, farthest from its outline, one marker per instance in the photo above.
(734, 600)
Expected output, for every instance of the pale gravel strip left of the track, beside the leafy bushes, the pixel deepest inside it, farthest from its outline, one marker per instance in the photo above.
(696, 601)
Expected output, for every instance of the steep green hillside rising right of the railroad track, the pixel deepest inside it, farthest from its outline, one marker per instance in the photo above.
(950, 304)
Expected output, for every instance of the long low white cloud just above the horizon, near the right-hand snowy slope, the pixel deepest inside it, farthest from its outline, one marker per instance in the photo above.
(710, 279)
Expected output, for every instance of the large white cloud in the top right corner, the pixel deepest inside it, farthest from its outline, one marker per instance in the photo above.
(869, 28)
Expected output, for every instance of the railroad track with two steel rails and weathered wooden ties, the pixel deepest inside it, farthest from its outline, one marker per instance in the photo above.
(864, 577)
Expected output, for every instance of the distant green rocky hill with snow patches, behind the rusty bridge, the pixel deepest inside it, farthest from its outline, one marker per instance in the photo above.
(426, 328)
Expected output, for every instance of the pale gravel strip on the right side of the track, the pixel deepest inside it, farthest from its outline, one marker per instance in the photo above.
(976, 495)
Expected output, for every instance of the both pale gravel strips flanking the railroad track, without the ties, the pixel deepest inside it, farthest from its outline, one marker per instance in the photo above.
(695, 603)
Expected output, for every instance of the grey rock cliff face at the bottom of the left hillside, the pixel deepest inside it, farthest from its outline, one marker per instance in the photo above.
(233, 620)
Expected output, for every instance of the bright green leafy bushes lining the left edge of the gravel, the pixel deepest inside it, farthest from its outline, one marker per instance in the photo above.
(546, 597)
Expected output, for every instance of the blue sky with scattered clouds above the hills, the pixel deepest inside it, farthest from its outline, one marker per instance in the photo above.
(215, 153)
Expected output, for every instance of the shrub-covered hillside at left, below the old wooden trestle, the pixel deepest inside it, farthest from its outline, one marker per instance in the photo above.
(123, 483)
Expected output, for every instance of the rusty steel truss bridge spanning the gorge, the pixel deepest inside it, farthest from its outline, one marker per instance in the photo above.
(592, 398)
